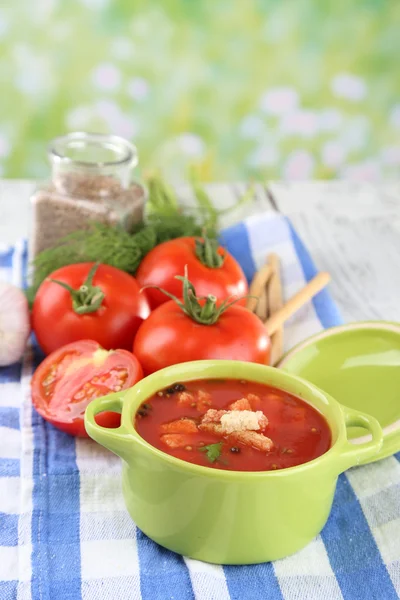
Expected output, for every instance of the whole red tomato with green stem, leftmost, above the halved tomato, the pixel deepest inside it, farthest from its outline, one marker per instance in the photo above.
(88, 301)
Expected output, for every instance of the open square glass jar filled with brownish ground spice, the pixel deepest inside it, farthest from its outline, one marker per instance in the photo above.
(91, 181)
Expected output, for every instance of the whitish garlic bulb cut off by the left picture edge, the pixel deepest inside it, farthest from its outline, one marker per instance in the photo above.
(14, 323)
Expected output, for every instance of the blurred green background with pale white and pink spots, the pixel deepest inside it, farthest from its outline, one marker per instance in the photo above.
(246, 89)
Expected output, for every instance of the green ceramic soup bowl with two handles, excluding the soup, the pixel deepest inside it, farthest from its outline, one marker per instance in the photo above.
(229, 517)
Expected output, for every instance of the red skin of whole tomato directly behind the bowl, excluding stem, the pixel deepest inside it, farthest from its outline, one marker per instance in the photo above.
(169, 337)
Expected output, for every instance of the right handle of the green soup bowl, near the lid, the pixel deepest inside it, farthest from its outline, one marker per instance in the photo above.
(354, 454)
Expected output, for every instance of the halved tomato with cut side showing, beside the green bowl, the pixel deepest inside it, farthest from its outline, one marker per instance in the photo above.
(69, 378)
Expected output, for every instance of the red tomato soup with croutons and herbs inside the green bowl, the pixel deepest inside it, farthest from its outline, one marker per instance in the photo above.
(233, 425)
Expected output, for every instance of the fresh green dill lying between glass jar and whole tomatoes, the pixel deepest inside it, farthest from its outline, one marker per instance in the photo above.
(113, 245)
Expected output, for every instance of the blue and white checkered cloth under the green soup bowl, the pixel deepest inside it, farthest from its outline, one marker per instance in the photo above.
(65, 533)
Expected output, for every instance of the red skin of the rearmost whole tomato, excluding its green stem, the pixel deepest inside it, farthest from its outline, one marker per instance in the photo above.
(165, 261)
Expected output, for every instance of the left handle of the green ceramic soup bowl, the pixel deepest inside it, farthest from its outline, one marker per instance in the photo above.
(119, 439)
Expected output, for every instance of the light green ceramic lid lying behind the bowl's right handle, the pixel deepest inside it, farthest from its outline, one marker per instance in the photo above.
(359, 365)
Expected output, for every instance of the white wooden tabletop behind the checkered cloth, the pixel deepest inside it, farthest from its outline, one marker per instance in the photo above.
(351, 230)
